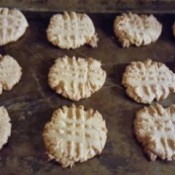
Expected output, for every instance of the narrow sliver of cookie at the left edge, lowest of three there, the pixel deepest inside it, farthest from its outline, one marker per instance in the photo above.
(5, 126)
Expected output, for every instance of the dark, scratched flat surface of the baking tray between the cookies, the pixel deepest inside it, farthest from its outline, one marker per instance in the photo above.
(31, 102)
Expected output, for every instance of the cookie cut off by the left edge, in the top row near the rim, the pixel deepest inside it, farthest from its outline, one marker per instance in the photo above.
(13, 25)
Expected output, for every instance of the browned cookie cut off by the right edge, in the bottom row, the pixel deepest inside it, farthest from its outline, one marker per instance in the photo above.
(154, 128)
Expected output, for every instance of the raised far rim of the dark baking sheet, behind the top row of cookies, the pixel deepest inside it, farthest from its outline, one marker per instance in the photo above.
(92, 6)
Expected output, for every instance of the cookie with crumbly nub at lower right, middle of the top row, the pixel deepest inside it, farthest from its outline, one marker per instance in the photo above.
(71, 30)
